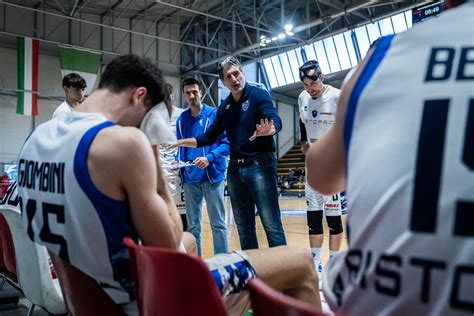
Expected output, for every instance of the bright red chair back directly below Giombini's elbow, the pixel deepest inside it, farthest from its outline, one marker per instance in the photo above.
(172, 283)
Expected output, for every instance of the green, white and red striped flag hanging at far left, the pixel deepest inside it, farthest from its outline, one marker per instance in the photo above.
(27, 102)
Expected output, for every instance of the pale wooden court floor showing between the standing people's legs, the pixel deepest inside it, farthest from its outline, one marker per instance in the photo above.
(294, 221)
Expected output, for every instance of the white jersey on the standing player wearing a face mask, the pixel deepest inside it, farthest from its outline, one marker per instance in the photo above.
(318, 115)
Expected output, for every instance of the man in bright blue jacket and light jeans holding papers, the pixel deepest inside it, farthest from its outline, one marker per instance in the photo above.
(205, 178)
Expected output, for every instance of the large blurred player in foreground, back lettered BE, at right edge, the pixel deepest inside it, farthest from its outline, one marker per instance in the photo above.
(403, 144)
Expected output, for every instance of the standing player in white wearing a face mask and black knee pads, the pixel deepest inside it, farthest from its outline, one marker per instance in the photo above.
(318, 108)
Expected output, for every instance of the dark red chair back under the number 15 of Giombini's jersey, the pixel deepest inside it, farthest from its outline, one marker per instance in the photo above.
(82, 294)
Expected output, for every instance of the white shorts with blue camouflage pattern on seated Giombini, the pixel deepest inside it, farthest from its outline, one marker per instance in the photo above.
(232, 272)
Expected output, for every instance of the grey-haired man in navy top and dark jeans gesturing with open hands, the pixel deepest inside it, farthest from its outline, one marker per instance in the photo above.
(250, 120)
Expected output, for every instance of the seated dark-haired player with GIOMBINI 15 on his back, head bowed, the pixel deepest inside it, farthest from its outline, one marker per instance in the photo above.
(88, 179)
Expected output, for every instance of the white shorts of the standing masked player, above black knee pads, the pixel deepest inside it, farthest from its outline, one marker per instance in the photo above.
(330, 204)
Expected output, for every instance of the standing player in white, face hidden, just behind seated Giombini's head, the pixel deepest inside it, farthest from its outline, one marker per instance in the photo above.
(159, 125)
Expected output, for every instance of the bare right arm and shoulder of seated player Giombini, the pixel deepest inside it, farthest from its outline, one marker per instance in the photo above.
(123, 167)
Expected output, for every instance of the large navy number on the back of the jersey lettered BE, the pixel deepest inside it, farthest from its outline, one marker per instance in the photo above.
(429, 170)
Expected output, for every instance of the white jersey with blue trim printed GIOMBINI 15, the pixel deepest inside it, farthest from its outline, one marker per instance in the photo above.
(62, 208)
